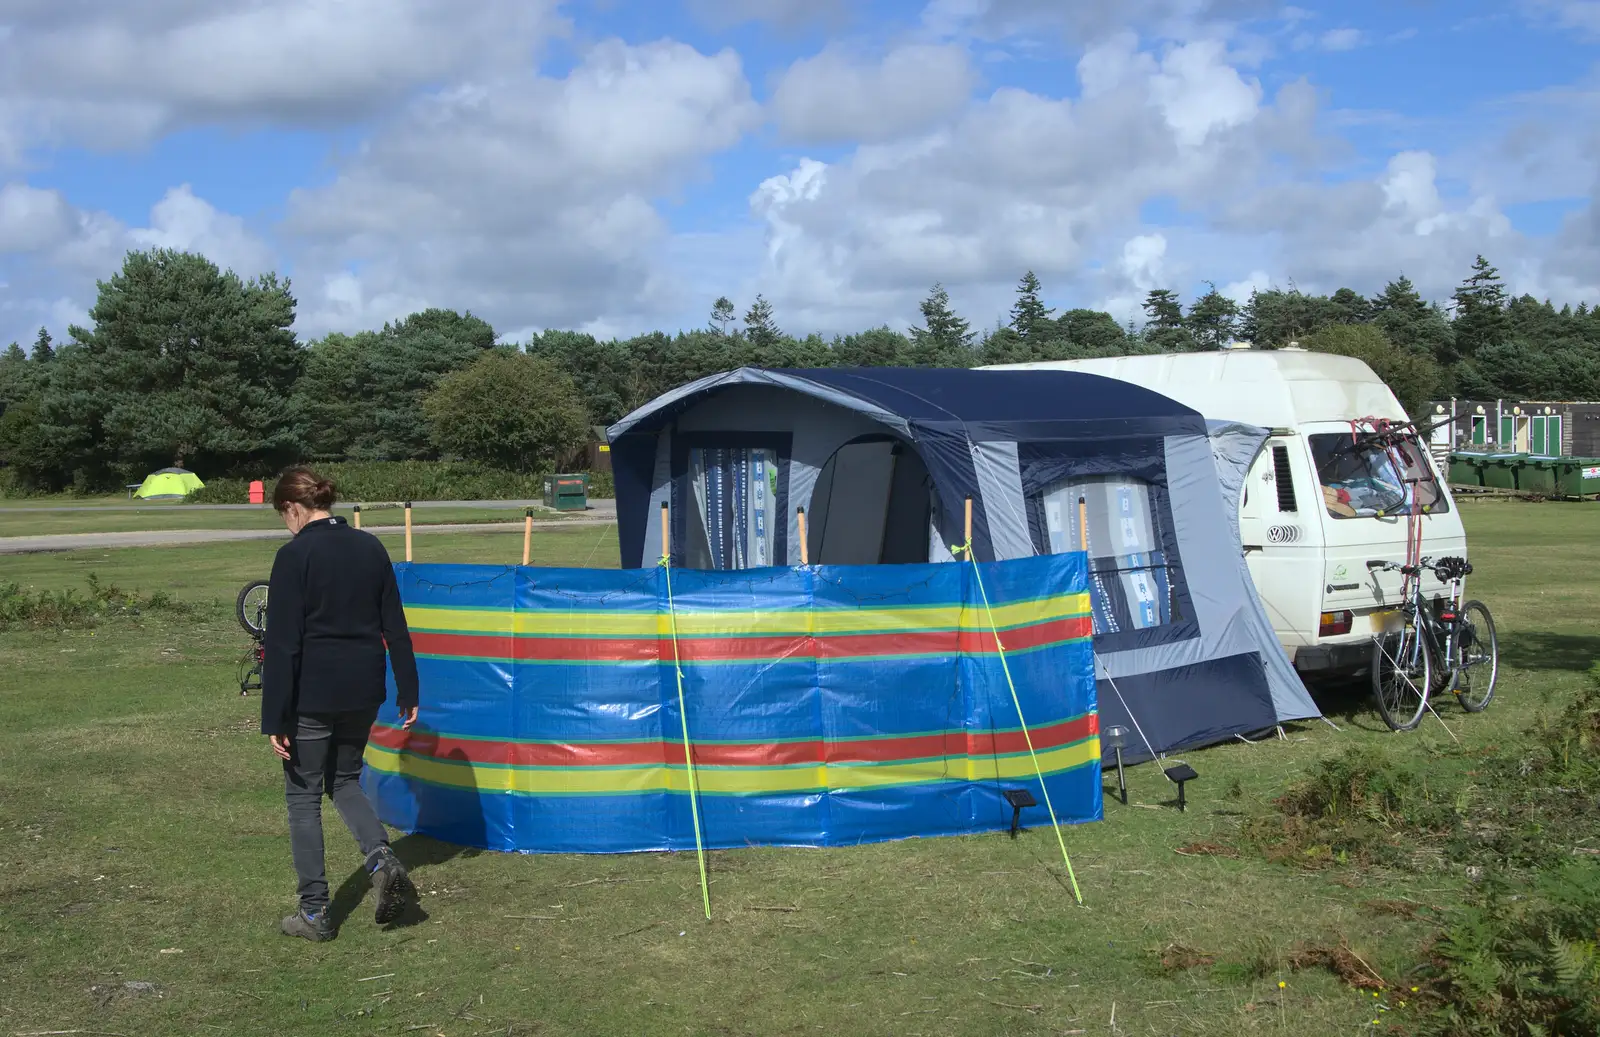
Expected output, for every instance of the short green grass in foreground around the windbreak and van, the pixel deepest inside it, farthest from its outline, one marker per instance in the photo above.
(143, 841)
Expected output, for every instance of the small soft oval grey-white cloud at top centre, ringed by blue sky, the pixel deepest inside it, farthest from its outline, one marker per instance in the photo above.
(838, 97)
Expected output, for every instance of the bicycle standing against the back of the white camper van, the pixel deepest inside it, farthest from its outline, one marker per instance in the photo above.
(1426, 647)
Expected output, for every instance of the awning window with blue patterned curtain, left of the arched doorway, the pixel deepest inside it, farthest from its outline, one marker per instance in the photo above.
(735, 508)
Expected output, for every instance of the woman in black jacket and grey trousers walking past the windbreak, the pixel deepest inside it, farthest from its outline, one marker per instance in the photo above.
(334, 612)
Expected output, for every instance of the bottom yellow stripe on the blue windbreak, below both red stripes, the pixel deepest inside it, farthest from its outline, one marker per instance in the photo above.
(726, 780)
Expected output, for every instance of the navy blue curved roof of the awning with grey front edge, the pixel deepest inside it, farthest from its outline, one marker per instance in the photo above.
(1028, 406)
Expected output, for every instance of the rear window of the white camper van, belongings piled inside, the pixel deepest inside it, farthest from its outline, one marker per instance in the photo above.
(1362, 478)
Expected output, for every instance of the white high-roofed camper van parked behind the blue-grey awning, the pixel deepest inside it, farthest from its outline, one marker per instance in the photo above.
(1316, 510)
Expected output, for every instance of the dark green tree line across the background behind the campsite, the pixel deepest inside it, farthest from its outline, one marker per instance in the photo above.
(191, 366)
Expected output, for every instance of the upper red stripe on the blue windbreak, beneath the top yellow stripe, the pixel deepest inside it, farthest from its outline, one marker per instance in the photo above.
(746, 649)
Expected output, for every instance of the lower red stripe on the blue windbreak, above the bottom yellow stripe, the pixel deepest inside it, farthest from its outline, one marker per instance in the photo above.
(743, 755)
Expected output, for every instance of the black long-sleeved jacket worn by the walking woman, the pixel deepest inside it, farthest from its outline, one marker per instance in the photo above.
(332, 609)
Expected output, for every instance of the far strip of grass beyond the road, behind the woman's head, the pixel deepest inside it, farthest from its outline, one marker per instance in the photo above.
(22, 521)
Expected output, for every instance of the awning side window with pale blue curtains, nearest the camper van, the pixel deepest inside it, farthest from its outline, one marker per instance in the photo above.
(1116, 521)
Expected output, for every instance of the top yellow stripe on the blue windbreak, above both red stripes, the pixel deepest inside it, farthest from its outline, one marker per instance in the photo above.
(558, 623)
